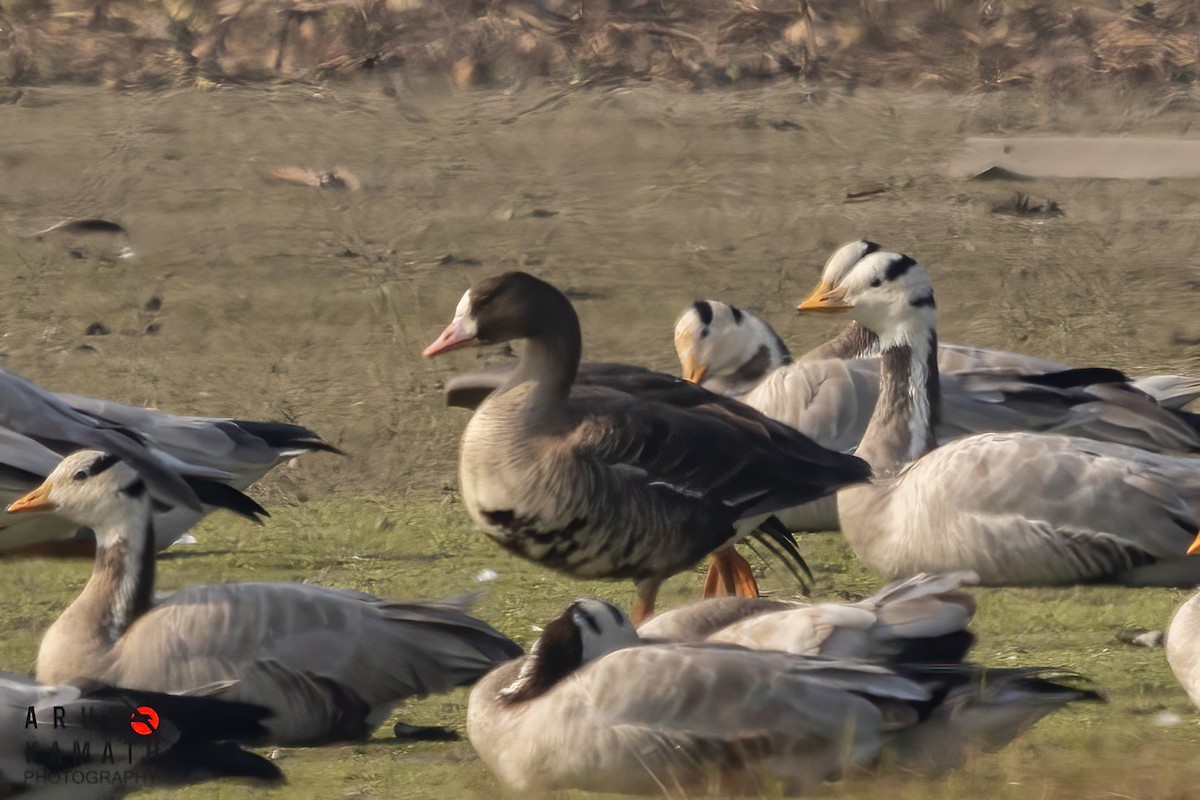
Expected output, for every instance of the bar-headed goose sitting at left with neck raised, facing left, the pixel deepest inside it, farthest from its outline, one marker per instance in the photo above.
(329, 664)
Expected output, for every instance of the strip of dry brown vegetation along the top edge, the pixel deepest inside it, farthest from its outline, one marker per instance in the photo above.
(961, 45)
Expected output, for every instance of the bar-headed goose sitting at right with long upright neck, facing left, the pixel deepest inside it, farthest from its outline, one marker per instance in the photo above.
(1015, 508)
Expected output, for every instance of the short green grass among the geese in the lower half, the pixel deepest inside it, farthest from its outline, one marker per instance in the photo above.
(423, 548)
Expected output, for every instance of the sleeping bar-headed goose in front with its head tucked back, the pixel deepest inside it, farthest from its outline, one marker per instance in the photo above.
(593, 708)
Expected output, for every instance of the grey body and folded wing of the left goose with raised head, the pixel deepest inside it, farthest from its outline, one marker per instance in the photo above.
(338, 645)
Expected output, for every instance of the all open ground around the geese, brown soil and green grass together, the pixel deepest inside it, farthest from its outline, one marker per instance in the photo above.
(261, 298)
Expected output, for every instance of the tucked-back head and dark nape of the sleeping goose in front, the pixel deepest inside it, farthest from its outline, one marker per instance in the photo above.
(586, 631)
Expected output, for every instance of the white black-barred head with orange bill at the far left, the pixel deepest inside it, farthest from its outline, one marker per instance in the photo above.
(92, 489)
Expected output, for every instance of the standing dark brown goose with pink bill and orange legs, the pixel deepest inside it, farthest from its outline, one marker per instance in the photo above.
(609, 483)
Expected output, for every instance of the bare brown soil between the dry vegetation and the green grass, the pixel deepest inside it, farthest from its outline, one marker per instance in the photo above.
(286, 302)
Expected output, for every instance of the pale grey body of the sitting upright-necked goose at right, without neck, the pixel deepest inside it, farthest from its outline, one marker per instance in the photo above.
(1031, 509)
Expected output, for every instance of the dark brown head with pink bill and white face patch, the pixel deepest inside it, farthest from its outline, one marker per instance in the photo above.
(506, 308)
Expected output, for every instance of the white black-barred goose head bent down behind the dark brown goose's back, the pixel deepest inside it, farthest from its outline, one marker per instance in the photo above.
(715, 341)
